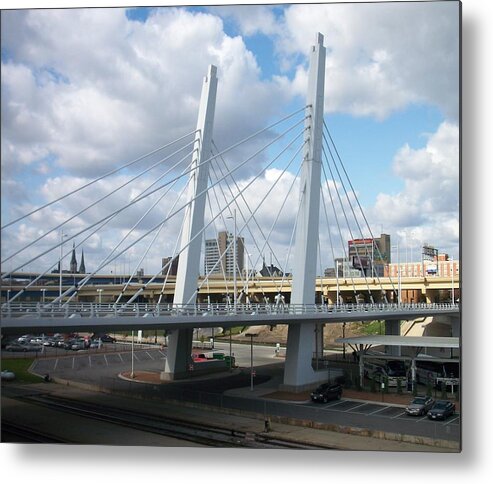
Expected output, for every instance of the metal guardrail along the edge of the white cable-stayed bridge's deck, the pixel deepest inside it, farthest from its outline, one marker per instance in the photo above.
(145, 310)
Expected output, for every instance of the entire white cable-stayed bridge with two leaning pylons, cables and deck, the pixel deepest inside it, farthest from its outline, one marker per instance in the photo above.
(293, 175)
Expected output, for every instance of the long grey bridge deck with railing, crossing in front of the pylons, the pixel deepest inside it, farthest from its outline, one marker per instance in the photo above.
(106, 318)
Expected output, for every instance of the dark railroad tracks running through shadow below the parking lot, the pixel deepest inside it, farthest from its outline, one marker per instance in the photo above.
(200, 433)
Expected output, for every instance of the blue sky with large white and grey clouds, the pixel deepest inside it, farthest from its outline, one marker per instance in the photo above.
(85, 91)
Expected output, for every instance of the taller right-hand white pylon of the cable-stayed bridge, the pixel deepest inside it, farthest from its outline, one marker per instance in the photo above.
(298, 370)
